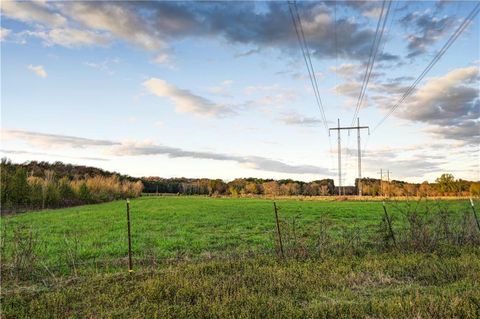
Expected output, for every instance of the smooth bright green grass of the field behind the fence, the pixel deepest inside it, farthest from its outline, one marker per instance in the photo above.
(189, 226)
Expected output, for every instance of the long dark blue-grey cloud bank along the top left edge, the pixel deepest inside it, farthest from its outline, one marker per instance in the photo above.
(152, 26)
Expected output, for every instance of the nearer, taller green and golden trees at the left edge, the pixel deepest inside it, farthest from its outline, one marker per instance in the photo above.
(36, 185)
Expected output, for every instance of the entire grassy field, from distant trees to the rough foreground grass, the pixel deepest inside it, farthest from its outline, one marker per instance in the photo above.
(210, 257)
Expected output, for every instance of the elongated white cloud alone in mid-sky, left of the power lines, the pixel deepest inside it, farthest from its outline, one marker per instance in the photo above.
(185, 101)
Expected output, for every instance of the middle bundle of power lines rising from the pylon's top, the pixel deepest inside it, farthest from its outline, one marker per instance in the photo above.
(372, 57)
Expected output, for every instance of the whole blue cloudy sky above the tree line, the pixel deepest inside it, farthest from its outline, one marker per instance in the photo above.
(221, 90)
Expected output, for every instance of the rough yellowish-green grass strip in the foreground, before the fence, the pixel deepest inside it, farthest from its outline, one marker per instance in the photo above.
(374, 286)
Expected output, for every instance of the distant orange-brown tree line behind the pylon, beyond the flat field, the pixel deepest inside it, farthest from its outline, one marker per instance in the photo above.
(445, 185)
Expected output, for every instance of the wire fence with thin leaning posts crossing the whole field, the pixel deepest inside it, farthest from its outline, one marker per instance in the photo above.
(101, 243)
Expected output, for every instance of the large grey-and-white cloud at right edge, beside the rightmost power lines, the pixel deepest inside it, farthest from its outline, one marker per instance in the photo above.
(449, 105)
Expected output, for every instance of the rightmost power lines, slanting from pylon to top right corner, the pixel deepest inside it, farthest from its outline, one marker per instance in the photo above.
(432, 63)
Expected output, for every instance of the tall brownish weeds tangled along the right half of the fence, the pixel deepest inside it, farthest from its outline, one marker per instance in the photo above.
(435, 228)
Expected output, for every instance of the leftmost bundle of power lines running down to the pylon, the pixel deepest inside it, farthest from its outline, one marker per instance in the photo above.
(297, 23)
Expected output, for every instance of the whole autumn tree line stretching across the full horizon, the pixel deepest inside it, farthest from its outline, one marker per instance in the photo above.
(37, 185)
